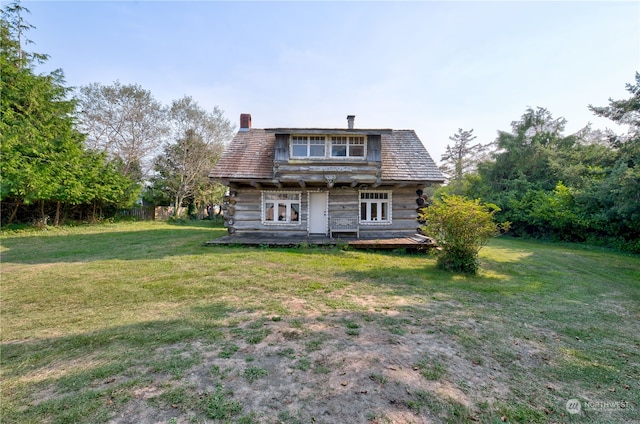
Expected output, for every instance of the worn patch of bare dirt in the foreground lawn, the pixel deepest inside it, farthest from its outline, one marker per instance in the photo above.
(354, 368)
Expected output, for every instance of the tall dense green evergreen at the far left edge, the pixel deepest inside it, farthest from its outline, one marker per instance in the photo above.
(43, 158)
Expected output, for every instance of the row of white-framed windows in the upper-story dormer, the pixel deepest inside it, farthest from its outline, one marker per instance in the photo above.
(320, 146)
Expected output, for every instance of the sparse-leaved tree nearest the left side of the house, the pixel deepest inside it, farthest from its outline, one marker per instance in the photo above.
(182, 170)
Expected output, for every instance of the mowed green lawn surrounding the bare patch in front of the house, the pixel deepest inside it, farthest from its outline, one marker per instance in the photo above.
(93, 317)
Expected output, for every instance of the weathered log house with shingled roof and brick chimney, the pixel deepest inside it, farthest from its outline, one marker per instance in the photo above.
(365, 183)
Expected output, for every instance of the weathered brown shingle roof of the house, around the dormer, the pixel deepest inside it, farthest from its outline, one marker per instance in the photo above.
(250, 155)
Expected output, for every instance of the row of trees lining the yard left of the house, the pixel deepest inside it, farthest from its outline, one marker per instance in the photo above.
(83, 154)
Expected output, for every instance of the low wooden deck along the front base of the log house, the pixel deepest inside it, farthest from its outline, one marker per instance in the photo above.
(415, 242)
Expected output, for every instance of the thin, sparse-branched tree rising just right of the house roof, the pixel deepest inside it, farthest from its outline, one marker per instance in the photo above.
(461, 158)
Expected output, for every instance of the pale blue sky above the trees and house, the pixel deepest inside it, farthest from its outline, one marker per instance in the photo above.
(429, 66)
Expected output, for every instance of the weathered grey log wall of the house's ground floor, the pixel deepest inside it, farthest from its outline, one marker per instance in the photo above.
(247, 213)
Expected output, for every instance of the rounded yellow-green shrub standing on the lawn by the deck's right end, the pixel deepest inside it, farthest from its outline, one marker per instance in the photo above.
(460, 227)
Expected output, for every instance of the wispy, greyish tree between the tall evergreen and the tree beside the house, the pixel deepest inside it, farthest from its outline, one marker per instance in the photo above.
(124, 121)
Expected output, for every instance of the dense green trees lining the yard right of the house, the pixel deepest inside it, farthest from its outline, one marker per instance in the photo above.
(582, 187)
